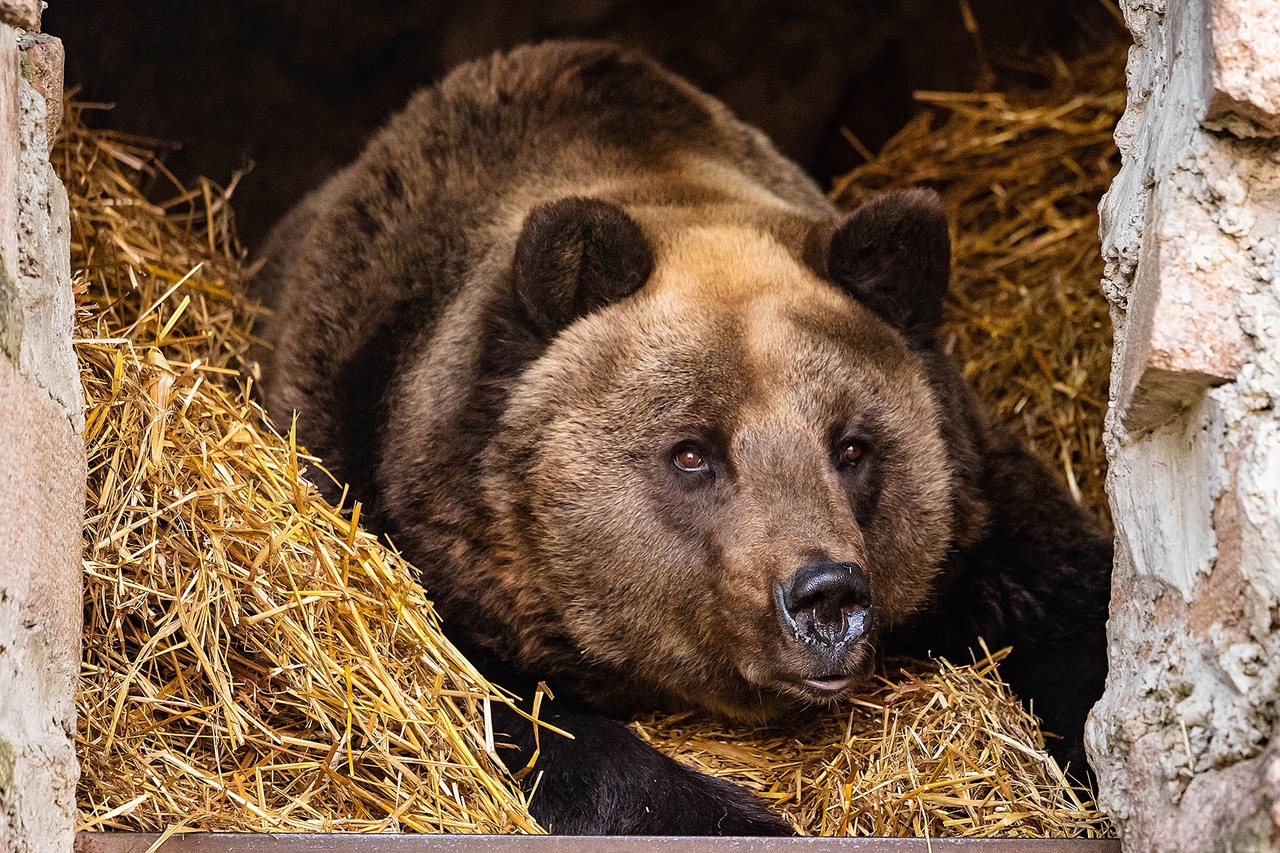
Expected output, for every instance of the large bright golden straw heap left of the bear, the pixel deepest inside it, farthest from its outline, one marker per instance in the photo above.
(253, 660)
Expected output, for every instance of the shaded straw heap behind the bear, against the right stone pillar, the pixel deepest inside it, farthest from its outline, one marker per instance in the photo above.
(1021, 176)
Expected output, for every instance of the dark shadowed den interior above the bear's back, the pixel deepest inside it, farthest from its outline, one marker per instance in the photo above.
(298, 86)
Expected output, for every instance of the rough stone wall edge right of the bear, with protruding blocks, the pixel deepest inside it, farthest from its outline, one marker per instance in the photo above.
(1183, 737)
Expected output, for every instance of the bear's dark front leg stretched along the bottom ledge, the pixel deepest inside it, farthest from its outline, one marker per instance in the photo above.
(609, 782)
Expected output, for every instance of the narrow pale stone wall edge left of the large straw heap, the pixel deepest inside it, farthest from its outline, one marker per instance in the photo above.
(42, 454)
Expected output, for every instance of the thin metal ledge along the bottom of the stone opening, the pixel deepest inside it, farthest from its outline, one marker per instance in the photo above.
(388, 843)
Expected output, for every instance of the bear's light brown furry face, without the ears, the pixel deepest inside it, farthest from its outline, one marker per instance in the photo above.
(725, 482)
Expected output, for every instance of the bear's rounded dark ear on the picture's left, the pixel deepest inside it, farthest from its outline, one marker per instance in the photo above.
(574, 257)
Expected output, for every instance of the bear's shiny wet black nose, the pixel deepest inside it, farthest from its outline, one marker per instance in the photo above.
(828, 603)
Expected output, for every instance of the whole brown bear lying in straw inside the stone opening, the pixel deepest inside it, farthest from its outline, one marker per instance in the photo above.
(661, 427)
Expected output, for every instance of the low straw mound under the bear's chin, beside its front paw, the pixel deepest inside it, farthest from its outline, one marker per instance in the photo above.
(934, 750)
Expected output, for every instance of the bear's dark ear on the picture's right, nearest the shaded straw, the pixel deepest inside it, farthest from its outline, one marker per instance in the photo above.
(894, 256)
